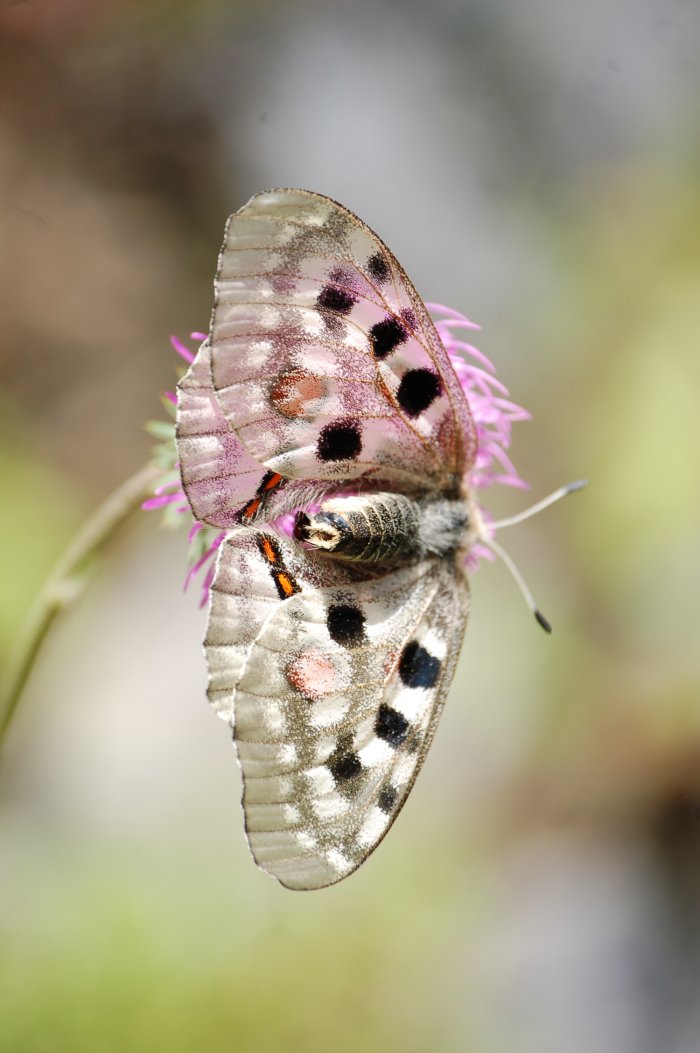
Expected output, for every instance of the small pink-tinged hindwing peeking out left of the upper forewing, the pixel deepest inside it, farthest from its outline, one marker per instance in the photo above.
(219, 476)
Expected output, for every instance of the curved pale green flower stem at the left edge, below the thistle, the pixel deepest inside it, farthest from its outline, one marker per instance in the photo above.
(66, 585)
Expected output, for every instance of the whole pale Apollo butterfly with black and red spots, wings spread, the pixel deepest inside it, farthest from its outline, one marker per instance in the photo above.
(324, 390)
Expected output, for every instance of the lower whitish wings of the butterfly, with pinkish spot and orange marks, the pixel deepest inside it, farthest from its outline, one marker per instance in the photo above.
(334, 686)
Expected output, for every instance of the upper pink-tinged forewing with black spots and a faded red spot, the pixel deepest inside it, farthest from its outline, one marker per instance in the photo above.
(325, 361)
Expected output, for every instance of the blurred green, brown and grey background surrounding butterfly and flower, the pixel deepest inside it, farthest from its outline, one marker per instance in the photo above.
(537, 167)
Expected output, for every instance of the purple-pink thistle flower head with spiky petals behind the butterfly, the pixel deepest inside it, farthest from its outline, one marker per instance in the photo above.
(494, 415)
